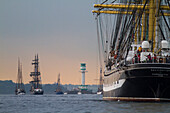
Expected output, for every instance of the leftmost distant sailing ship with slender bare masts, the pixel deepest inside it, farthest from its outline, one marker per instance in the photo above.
(20, 90)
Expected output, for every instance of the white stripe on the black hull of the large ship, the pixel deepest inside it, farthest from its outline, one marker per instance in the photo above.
(114, 85)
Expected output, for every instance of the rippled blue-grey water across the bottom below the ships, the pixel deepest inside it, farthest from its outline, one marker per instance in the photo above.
(75, 104)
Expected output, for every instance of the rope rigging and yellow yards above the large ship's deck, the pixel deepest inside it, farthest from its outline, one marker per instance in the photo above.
(118, 32)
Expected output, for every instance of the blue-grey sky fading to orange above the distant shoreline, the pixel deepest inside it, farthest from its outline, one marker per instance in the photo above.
(62, 32)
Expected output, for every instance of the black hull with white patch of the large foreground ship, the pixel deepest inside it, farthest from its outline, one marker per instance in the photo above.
(138, 82)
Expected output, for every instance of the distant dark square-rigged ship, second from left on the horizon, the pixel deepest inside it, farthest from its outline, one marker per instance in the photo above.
(36, 85)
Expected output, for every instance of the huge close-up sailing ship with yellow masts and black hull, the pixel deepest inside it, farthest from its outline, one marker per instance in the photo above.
(134, 41)
